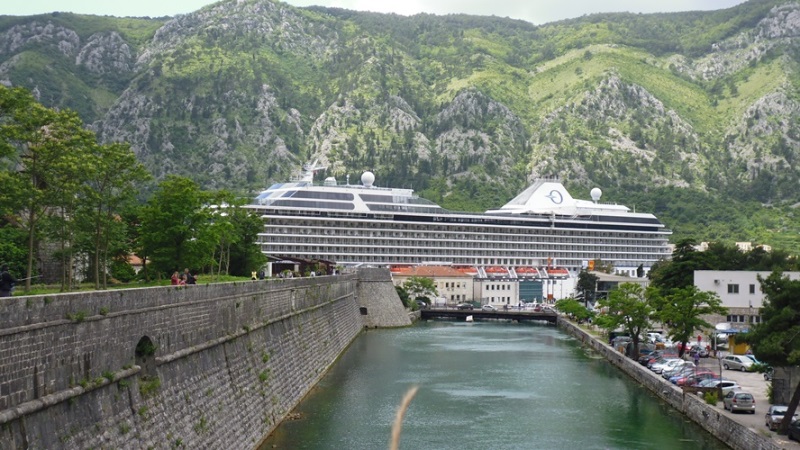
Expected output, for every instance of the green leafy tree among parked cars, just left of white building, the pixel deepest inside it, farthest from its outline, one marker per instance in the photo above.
(682, 311)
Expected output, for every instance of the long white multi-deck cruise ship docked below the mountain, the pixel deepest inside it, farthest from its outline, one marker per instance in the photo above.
(362, 224)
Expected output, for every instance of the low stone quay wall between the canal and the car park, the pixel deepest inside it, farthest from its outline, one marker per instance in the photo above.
(732, 433)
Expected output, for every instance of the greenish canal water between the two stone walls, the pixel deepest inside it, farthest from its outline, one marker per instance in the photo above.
(482, 385)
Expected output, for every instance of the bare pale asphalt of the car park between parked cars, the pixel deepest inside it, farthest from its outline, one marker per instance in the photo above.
(755, 384)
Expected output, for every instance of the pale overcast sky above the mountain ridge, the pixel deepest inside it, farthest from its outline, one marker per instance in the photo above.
(534, 11)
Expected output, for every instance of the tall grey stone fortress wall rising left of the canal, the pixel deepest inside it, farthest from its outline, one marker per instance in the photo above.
(202, 366)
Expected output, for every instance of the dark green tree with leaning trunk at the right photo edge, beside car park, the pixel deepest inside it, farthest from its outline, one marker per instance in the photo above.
(776, 340)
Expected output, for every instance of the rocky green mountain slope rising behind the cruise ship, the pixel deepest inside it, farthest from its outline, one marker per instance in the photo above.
(693, 116)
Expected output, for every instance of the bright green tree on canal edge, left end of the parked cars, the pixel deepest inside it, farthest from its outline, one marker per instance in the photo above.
(628, 307)
